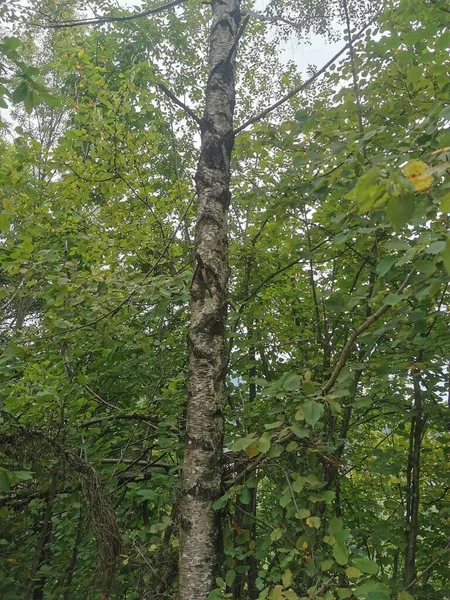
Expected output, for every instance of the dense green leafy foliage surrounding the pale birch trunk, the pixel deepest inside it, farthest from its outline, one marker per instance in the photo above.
(337, 395)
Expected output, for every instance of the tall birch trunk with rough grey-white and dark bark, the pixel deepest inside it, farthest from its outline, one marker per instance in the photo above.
(201, 477)
